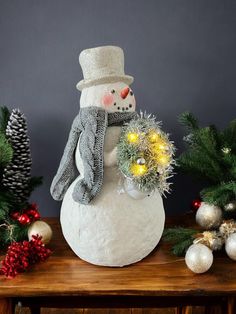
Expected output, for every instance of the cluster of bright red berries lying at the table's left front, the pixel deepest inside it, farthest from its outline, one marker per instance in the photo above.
(22, 255)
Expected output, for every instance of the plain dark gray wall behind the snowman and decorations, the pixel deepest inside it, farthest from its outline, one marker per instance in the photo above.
(181, 53)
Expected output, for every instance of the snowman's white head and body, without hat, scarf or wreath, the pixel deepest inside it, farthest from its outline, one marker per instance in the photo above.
(114, 229)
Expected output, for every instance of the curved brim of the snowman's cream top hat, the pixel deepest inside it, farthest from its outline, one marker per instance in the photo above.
(103, 80)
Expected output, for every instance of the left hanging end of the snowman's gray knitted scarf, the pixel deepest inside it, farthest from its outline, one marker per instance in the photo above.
(67, 170)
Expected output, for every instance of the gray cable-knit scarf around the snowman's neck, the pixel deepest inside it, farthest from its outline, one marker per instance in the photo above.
(90, 126)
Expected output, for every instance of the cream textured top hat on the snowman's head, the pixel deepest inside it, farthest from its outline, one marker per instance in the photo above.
(102, 65)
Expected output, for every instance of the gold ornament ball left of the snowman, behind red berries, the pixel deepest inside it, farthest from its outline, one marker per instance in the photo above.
(42, 229)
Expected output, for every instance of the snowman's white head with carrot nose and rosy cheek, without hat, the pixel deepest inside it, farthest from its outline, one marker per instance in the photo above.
(113, 97)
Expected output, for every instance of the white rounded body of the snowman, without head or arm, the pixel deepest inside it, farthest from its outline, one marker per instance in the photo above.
(115, 229)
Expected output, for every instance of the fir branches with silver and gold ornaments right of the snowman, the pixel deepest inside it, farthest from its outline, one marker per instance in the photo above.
(211, 155)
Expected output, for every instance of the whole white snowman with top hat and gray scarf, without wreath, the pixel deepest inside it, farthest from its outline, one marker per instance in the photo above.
(102, 225)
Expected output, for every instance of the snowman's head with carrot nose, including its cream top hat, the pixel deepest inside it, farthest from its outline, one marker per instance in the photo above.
(105, 83)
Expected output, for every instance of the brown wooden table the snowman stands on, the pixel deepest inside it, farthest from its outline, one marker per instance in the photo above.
(160, 280)
